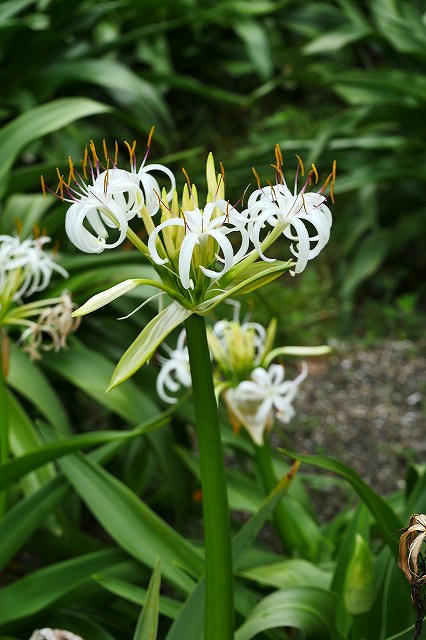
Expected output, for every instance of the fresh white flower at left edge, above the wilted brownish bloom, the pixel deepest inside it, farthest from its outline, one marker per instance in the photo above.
(25, 267)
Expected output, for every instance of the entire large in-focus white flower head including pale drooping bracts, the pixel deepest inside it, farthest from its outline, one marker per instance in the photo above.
(203, 249)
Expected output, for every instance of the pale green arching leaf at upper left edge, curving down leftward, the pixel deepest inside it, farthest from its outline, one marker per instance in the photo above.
(38, 122)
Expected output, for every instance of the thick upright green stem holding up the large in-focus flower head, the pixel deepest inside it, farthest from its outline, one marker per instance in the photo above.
(219, 608)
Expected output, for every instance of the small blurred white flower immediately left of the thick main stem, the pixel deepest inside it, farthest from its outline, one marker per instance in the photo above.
(175, 371)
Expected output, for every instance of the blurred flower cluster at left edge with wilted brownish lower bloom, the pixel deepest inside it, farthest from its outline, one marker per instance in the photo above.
(26, 268)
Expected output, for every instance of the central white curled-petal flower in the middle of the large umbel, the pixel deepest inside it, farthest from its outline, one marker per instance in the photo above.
(200, 227)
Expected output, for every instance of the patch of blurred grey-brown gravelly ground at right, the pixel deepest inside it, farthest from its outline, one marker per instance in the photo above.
(366, 407)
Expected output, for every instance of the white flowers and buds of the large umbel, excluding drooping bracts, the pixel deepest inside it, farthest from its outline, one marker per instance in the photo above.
(190, 239)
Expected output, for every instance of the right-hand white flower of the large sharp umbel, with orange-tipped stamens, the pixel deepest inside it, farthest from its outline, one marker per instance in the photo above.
(295, 213)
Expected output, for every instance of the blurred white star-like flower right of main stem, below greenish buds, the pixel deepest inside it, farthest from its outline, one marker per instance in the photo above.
(255, 403)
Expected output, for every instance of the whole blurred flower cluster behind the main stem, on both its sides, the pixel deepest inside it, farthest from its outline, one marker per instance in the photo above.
(255, 391)
